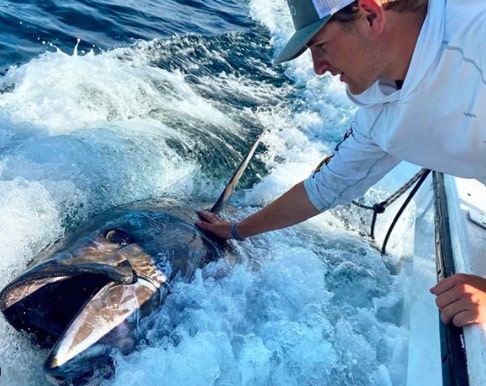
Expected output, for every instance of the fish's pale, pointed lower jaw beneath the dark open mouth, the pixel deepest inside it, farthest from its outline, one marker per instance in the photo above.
(81, 346)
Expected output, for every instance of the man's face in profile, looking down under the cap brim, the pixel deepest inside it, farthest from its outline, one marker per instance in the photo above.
(347, 50)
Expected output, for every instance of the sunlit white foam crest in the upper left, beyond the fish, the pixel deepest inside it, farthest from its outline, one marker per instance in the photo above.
(63, 93)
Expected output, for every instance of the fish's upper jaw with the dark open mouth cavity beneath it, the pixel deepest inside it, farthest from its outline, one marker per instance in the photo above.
(45, 299)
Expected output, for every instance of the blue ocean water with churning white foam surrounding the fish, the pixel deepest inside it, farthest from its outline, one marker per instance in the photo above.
(103, 102)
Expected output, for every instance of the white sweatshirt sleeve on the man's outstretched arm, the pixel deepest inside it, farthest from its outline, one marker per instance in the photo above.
(357, 164)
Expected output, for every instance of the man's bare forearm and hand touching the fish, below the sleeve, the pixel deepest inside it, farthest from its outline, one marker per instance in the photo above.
(289, 209)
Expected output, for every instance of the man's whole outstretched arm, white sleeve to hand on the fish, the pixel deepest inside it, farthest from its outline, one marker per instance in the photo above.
(357, 163)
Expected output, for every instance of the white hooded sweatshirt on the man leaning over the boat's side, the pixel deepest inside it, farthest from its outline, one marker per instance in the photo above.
(437, 120)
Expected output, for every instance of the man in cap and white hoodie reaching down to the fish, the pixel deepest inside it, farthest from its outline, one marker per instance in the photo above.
(417, 71)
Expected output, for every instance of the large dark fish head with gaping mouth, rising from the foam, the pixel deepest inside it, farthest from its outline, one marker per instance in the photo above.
(84, 296)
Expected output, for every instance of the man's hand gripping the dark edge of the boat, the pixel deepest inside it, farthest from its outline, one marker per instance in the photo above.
(461, 299)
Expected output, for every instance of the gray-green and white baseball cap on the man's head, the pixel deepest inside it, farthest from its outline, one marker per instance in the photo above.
(309, 16)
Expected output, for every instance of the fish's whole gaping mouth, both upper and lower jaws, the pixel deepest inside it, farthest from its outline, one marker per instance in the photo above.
(74, 307)
